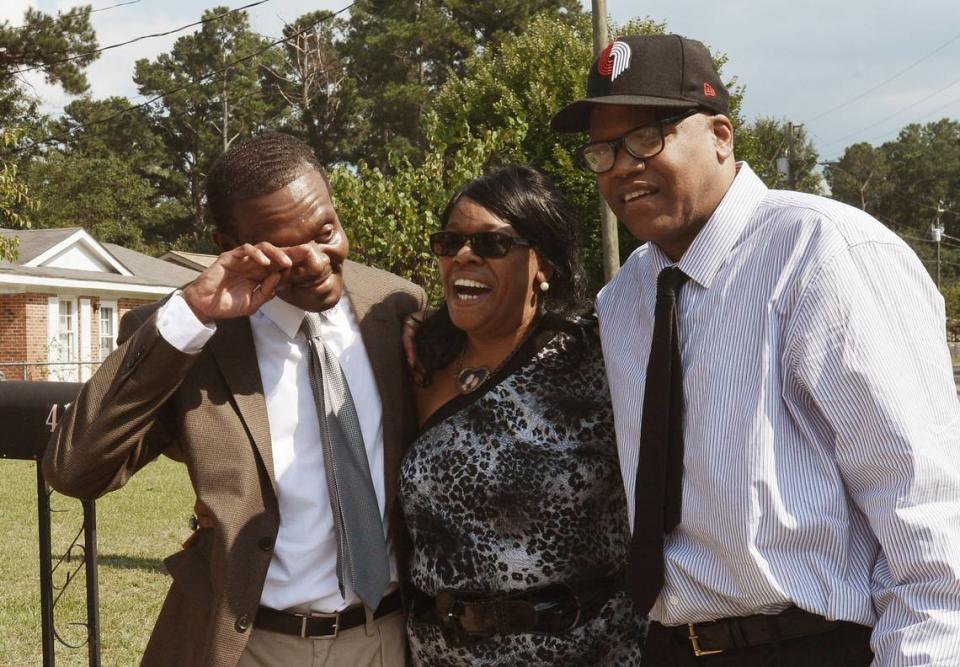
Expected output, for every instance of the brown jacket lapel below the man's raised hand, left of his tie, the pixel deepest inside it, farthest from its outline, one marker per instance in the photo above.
(235, 353)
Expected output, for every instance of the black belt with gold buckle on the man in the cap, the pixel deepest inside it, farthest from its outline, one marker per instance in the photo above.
(716, 637)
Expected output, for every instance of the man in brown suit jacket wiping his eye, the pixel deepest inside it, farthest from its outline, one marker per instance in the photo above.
(217, 377)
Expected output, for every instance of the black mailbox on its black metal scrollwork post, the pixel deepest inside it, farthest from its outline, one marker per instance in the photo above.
(29, 413)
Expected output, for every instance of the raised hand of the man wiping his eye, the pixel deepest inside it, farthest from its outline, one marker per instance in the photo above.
(243, 279)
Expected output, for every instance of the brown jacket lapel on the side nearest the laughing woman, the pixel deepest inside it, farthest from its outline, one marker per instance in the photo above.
(381, 339)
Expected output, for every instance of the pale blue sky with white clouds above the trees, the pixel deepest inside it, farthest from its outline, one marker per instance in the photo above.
(848, 70)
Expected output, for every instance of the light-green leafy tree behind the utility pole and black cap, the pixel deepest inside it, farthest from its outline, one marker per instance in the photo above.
(524, 81)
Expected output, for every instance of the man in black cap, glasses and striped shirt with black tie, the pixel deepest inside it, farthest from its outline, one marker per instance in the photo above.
(785, 410)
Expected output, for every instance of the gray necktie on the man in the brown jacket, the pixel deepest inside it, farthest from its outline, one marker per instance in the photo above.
(361, 546)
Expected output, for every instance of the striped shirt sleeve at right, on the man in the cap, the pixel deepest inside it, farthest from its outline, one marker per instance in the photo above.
(875, 360)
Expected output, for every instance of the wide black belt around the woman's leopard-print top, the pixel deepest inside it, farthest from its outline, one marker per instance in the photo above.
(465, 617)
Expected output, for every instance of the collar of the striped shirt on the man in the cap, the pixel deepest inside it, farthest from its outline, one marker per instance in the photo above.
(723, 231)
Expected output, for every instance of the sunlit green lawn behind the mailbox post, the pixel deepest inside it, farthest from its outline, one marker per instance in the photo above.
(137, 527)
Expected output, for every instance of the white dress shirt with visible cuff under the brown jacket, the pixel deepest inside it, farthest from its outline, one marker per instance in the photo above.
(303, 570)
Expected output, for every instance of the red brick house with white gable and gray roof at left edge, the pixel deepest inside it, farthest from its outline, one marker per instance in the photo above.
(62, 298)
